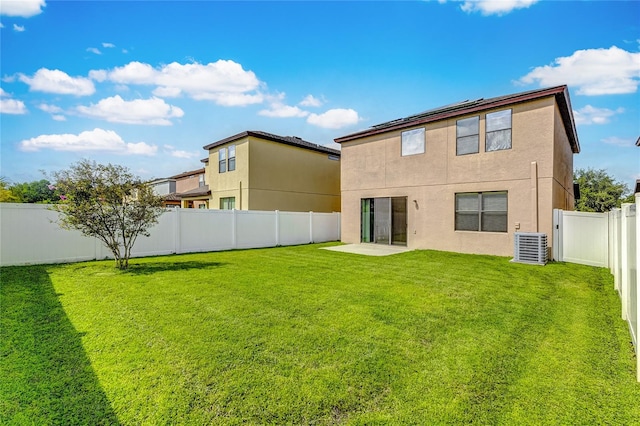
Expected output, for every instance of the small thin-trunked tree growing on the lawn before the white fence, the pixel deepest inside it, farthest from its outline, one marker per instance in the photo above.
(107, 202)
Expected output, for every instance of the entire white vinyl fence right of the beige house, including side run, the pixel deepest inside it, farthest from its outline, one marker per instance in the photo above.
(608, 240)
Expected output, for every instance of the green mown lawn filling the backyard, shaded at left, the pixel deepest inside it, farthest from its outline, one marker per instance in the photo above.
(299, 335)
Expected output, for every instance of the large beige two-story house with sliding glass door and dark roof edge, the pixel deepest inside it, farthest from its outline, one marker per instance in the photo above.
(463, 177)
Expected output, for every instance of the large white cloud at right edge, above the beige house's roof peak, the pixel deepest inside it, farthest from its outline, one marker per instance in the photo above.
(593, 71)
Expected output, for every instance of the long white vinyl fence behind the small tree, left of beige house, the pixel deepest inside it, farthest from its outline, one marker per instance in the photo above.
(29, 233)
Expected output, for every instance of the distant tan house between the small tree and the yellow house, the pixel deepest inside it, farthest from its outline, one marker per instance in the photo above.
(182, 190)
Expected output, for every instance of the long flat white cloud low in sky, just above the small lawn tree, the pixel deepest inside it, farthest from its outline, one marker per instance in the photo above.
(93, 140)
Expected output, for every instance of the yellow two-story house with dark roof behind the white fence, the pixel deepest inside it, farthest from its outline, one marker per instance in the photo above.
(256, 170)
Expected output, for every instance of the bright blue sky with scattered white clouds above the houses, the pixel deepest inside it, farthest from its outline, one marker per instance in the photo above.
(148, 84)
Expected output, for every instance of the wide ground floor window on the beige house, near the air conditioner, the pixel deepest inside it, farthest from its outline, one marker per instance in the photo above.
(481, 211)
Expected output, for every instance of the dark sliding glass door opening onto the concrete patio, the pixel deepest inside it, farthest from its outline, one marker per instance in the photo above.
(384, 220)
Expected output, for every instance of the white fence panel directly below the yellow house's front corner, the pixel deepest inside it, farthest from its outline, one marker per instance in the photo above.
(256, 229)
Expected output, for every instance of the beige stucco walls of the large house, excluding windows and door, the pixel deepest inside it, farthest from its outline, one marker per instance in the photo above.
(536, 173)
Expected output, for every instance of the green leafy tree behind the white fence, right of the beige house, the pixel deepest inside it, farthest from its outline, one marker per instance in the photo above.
(599, 192)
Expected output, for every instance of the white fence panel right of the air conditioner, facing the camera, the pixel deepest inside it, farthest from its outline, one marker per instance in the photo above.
(585, 238)
